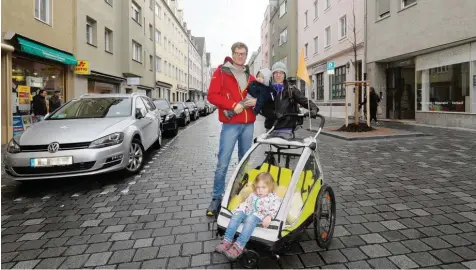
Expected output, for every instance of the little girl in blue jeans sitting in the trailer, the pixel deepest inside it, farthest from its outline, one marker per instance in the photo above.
(260, 207)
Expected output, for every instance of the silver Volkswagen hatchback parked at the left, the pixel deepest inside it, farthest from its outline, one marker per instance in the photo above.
(93, 134)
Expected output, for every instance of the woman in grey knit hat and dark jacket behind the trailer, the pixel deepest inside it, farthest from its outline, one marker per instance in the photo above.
(285, 99)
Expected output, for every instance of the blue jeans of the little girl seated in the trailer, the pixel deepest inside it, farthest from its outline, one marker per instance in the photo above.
(249, 225)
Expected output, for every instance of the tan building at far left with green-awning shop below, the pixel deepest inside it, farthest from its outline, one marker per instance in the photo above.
(38, 42)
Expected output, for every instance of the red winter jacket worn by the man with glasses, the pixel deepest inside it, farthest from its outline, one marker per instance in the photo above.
(225, 93)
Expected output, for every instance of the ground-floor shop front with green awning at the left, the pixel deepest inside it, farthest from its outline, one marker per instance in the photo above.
(33, 66)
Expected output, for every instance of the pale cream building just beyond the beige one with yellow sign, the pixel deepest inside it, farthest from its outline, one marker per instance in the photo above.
(172, 49)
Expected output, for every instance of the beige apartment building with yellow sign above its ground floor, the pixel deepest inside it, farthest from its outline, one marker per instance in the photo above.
(115, 47)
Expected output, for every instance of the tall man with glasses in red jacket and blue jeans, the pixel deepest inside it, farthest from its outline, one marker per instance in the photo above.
(228, 87)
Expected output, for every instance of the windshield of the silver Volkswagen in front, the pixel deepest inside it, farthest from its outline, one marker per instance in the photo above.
(107, 107)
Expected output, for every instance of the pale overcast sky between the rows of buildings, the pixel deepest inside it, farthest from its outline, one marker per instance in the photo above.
(223, 22)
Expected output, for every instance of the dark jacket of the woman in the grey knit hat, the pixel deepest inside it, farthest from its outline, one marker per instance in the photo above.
(286, 102)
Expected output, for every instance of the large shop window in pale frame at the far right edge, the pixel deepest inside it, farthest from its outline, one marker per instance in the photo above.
(446, 87)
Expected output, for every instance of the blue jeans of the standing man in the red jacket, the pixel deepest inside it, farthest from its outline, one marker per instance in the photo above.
(230, 134)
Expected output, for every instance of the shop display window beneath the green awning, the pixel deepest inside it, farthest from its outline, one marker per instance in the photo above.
(28, 78)
